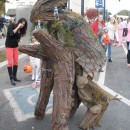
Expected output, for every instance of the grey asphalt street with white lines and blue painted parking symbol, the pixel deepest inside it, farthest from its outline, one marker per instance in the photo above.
(17, 103)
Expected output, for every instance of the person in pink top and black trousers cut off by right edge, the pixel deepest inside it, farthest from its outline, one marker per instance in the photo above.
(128, 42)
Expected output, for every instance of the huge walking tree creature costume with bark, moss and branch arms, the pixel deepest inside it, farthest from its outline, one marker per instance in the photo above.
(71, 56)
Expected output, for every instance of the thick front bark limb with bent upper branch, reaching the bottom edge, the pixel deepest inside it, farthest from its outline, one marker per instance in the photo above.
(64, 73)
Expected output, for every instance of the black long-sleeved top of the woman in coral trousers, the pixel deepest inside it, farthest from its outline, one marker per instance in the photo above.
(12, 39)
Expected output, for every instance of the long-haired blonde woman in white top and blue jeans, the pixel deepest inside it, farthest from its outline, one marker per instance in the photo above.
(111, 32)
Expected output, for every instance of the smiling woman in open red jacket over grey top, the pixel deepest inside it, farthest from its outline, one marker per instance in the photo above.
(97, 28)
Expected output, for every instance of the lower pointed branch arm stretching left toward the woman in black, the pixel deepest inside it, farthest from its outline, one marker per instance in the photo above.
(33, 50)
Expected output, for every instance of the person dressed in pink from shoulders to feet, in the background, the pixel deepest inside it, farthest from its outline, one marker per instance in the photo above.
(120, 32)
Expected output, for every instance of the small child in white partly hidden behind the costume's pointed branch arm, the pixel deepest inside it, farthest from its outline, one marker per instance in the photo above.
(35, 62)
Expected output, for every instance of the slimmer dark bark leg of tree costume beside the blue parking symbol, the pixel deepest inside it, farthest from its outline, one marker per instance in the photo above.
(47, 82)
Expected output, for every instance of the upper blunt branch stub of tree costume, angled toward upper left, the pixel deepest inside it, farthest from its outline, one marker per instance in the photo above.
(50, 45)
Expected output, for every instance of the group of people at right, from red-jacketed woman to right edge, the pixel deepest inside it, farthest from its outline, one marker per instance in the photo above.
(111, 33)
